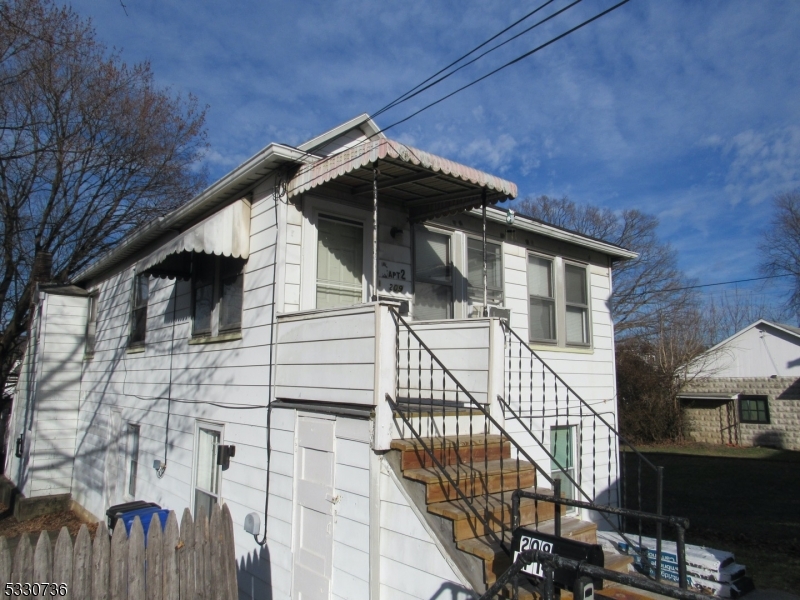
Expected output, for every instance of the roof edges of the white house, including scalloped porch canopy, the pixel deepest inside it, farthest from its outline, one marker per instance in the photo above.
(426, 184)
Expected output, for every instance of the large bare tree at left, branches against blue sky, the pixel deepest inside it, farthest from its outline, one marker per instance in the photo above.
(89, 149)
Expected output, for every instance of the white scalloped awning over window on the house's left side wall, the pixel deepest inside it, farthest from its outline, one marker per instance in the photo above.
(225, 233)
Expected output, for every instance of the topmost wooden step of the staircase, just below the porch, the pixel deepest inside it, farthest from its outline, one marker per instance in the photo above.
(451, 450)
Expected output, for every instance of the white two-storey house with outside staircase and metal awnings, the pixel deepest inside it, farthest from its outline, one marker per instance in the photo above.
(149, 376)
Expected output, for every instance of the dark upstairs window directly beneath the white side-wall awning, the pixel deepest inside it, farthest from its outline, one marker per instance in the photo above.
(217, 290)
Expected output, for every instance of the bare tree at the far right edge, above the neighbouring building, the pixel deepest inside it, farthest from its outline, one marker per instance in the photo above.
(780, 248)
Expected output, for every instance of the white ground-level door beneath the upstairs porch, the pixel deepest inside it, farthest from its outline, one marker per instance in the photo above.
(314, 504)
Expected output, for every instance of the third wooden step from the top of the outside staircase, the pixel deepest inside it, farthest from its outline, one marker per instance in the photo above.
(496, 512)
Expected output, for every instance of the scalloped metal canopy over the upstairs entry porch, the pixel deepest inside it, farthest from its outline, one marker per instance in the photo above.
(427, 185)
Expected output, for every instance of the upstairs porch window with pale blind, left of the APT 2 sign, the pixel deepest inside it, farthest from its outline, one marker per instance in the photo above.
(340, 262)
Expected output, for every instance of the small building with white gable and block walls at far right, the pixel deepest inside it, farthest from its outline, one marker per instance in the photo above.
(746, 389)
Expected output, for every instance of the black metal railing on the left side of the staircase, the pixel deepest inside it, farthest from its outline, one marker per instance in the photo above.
(427, 392)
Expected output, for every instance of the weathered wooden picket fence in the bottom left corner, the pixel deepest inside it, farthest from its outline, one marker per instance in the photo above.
(197, 561)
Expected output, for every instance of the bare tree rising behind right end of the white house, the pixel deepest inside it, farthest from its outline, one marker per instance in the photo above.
(642, 287)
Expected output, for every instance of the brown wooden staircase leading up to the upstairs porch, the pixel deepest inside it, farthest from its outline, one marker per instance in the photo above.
(480, 509)
